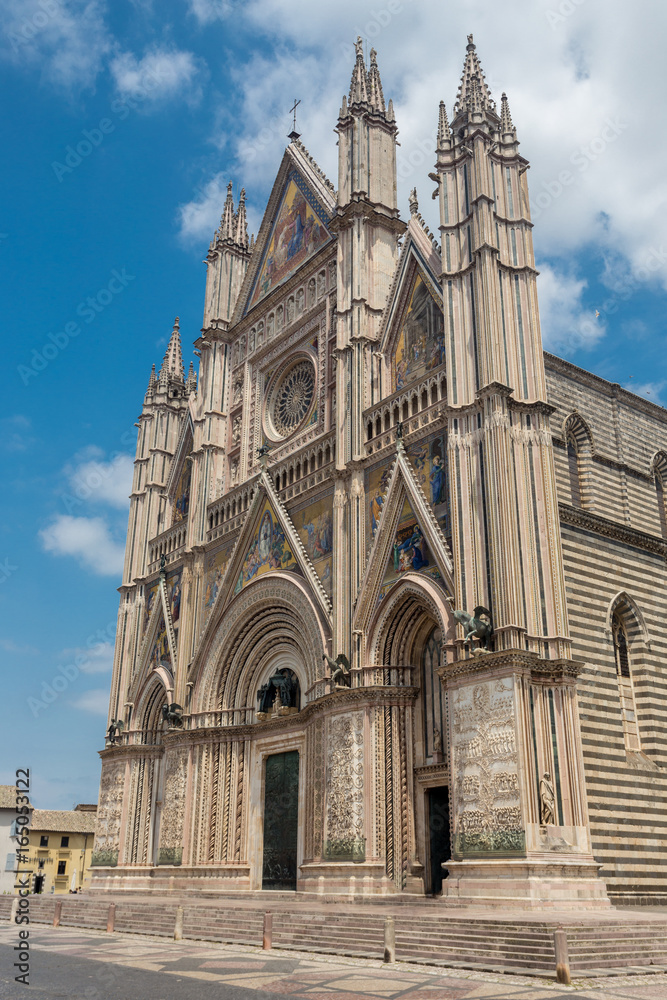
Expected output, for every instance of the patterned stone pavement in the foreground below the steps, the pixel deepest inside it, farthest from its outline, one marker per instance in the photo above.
(179, 967)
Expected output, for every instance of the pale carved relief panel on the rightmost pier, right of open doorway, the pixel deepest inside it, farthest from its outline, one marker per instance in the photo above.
(485, 770)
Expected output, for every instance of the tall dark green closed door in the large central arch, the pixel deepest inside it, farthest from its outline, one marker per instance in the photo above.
(281, 820)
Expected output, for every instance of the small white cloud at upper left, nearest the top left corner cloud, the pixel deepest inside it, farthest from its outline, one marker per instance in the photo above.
(161, 73)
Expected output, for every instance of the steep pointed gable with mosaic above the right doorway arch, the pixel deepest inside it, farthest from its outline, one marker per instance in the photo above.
(407, 538)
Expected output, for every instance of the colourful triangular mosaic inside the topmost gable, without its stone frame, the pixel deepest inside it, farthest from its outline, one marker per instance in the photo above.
(298, 232)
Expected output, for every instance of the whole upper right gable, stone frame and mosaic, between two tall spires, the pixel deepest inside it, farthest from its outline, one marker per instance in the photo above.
(413, 325)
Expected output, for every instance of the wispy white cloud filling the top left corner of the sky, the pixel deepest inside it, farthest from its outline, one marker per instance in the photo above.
(66, 39)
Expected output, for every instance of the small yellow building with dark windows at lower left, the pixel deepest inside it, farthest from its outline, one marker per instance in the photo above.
(60, 849)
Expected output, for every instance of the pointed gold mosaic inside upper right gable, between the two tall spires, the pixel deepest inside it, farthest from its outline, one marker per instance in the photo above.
(421, 342)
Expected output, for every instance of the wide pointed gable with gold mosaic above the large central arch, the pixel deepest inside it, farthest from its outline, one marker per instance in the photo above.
(267, 543)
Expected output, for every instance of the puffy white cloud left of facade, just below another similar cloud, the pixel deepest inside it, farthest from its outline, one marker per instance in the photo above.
(87, 539)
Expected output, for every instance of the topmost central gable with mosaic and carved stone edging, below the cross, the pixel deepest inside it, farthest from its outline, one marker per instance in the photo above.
(295, 227)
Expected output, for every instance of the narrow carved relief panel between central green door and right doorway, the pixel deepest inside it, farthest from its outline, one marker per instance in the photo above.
(345, 788)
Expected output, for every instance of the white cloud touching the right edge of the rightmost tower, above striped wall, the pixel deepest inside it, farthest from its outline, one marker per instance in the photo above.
(566, 325)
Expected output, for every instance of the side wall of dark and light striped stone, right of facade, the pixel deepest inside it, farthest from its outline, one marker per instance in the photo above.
(613, 545)
